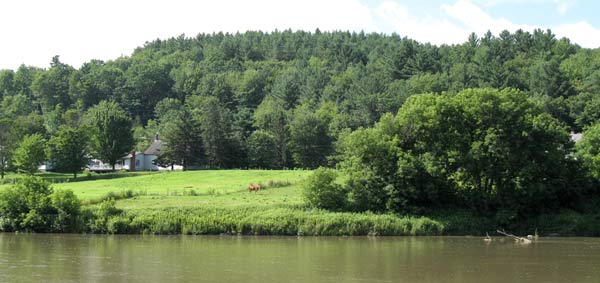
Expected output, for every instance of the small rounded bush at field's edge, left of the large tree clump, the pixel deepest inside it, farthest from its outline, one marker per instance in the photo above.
(321, 190)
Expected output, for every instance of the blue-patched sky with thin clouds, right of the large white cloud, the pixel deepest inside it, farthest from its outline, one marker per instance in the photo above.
(449, 21)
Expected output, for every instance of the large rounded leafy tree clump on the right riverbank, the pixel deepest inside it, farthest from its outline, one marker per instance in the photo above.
(490, 150)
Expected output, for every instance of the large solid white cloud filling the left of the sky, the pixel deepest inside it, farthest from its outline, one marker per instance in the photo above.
(35, 30)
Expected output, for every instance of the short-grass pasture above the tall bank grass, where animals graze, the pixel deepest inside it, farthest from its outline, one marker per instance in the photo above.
(222, 188)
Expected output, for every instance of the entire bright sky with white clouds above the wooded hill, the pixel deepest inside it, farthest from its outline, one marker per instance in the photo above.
(33, 31)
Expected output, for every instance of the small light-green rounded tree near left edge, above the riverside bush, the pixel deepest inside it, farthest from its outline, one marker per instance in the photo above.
(30, 154)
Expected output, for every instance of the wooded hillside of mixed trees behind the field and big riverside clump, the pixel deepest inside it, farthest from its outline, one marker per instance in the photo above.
(284, 99)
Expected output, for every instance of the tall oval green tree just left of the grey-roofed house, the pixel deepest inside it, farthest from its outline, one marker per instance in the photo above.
(112, 131)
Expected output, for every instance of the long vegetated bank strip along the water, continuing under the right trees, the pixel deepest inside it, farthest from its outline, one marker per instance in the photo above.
(292, 221)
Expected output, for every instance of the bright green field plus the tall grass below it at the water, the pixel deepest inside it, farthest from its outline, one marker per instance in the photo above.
(217, 202)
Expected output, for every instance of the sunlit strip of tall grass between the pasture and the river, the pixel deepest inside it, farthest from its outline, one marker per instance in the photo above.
(263, 221)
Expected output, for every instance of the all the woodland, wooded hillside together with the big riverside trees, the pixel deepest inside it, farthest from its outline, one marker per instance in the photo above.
(412, 123)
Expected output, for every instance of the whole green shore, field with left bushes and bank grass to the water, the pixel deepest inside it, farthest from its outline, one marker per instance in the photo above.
(194, 203)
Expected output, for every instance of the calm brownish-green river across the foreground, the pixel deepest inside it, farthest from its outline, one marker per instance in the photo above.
(120, 258)
